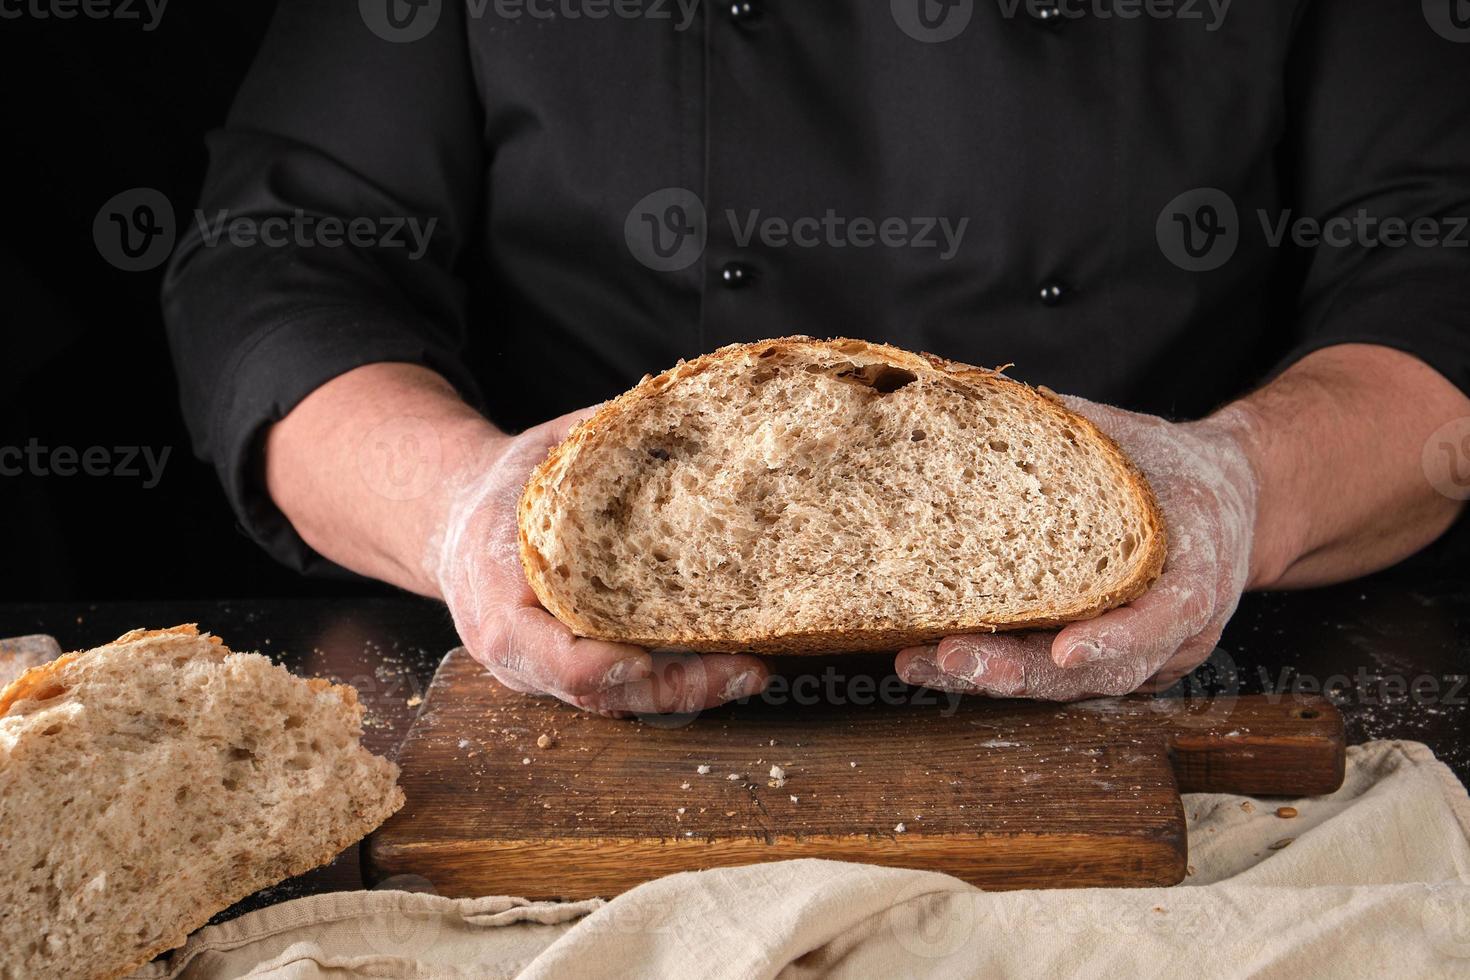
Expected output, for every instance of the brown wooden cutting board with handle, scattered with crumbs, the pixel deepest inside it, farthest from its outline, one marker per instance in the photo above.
(518, 796)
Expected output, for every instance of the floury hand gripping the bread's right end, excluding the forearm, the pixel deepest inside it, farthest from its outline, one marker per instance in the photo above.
(1208, 490)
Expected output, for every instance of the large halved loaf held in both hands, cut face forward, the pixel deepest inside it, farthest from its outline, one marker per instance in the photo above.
(800, 496)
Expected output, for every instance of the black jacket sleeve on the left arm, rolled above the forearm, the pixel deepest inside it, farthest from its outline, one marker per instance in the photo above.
(333, 126)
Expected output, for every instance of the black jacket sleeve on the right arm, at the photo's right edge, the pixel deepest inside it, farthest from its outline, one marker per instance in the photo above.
(1378, 127)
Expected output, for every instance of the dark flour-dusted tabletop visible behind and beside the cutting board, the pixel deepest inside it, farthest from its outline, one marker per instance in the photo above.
(1393, 653)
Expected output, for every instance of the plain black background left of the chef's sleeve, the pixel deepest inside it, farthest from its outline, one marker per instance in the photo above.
(92, 108)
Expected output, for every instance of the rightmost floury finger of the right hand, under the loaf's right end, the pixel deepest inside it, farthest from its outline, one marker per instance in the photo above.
(1150, 630)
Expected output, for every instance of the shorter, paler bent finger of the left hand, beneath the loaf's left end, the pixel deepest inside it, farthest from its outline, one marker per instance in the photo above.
(543, 653)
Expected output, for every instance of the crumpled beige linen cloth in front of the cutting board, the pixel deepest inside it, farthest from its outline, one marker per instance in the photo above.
(1369, 882)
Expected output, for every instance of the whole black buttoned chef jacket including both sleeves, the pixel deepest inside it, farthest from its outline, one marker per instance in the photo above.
(617, 184)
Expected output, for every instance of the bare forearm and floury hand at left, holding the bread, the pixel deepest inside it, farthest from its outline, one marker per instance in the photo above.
(442, 522)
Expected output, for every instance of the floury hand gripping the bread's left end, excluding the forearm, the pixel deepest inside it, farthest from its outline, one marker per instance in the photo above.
(476, 563)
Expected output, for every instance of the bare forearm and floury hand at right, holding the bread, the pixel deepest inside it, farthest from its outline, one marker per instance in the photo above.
(1316, 478)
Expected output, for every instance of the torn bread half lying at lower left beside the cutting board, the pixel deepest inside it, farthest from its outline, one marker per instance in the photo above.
(151, 784)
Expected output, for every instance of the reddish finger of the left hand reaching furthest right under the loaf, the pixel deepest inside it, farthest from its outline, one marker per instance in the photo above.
(681, 684)
